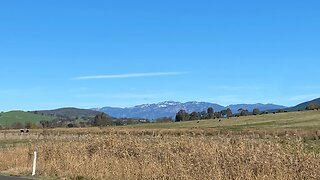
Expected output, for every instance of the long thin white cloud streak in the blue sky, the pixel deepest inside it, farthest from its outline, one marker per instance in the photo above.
(133, 75)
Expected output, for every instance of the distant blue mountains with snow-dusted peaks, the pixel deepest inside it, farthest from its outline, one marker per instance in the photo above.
(170, 108)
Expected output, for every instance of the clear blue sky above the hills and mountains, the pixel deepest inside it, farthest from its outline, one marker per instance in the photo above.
(86, 54)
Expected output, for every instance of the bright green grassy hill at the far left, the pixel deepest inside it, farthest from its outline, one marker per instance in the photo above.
(22, 117)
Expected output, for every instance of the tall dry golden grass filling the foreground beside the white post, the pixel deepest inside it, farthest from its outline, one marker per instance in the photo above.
(164, 154)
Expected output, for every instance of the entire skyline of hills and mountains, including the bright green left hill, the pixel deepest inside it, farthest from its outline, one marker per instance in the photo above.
(147, 111)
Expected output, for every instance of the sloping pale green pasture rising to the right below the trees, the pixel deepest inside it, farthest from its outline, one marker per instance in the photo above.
(303, 119)
